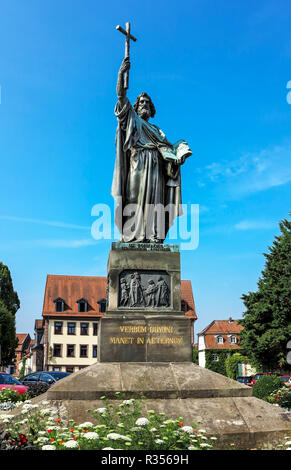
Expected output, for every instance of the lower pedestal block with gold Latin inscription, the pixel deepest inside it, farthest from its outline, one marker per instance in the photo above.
(144, 338)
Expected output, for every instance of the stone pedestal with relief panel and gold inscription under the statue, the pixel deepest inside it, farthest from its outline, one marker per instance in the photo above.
(143, 320)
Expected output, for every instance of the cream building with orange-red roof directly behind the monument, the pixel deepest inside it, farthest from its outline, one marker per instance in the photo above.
(72, 309)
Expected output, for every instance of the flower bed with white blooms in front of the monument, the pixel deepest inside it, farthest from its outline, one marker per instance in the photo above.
(120, 426)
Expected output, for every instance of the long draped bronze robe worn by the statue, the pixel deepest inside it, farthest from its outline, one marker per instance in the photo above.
(143, 178)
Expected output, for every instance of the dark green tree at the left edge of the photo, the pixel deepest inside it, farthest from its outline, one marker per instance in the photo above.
(9, 304)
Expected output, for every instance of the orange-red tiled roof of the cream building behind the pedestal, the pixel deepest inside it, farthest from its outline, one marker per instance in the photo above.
(93, 289)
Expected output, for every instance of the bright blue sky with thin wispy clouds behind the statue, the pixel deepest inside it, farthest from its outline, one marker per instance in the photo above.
(217, 73)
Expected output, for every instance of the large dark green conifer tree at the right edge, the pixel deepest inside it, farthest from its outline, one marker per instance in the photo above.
(266, 322)
